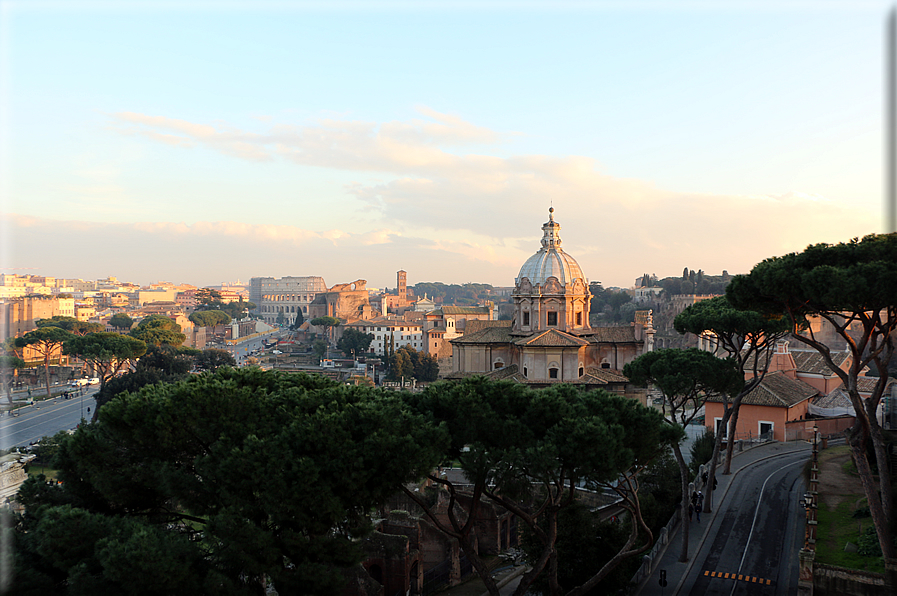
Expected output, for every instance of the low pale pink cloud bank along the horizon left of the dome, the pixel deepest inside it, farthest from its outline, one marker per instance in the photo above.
(210, 252)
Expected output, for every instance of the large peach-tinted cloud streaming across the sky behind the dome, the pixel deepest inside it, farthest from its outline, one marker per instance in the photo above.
(484, 211)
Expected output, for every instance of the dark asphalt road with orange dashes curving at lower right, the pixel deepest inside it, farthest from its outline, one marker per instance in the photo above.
(754, 540)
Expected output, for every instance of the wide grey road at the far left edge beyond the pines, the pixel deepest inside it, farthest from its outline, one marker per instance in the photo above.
(44, 418)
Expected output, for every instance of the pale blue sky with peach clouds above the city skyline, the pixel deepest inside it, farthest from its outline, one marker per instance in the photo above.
(212, 142)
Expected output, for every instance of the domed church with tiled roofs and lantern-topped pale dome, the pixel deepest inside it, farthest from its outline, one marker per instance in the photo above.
(549, 339)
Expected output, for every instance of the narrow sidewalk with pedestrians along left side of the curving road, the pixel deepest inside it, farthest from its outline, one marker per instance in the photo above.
(669, 557)
